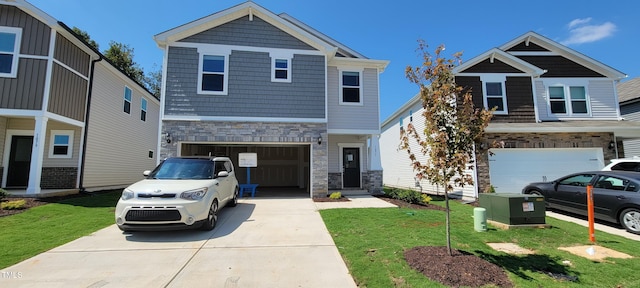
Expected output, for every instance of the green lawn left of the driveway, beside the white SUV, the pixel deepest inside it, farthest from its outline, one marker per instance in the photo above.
(45, 227)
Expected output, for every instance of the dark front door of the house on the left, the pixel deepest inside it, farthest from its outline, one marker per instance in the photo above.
(19, 161)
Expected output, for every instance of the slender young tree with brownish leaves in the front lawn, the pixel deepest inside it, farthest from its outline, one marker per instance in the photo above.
(452, 125)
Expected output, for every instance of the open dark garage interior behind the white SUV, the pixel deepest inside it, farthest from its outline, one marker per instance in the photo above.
(282, 170)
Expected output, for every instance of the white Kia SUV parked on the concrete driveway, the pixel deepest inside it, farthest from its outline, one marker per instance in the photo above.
(181, 193)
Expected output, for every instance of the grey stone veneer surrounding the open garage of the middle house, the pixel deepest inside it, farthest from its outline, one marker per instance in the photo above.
(254, 133)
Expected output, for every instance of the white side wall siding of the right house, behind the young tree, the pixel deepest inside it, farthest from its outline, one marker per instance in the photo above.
(397, 167)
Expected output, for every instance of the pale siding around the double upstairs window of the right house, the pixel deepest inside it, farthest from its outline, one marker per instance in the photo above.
(601, 94)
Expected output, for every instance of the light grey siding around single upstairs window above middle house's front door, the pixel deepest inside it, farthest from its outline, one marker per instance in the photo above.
(355, 117)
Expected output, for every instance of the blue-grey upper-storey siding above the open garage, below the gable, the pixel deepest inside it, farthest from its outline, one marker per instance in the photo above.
(250, 92)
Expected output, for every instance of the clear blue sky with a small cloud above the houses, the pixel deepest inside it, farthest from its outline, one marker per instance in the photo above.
(607, 31)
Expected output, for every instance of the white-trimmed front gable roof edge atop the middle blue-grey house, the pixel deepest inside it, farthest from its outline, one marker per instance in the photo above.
(247, 8)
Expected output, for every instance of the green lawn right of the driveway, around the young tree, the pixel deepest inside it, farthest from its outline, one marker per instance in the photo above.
(372, 242)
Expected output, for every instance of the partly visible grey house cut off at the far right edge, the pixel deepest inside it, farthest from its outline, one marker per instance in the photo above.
(629, 98)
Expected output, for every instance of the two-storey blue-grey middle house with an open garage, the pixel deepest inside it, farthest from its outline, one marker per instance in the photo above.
(247, 80)
